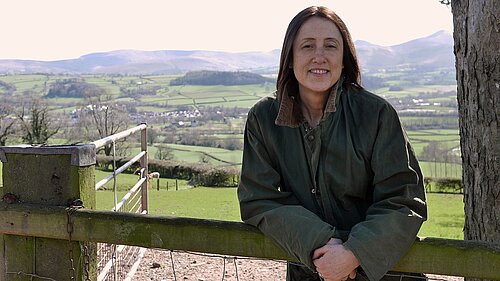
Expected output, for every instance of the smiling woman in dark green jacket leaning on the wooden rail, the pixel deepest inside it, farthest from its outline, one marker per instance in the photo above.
(328, 172)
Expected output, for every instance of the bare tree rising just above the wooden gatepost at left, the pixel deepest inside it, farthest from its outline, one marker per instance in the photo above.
(36, 123)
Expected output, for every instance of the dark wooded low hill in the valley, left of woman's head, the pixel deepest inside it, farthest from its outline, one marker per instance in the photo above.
(225, 78)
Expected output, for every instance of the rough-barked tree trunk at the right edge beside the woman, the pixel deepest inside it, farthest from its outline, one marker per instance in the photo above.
(477, 44)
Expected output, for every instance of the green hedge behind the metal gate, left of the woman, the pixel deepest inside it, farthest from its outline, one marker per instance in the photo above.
(197, 174)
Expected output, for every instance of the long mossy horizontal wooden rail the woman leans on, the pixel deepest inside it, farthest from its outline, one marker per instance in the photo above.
(438, 256)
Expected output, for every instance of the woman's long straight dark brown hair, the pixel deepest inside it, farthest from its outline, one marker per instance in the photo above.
(287, 83)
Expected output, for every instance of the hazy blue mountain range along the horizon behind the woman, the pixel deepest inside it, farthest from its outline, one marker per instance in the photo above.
(431, 52)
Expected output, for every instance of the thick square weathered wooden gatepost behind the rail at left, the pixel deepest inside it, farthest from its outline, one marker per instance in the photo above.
(52, 176)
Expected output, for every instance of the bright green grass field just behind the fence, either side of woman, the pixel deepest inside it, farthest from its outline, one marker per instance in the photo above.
(445, 218)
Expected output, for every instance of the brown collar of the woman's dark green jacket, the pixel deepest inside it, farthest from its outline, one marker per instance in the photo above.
(289, 113)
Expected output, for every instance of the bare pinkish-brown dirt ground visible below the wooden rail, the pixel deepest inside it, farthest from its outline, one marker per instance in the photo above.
(157, 265)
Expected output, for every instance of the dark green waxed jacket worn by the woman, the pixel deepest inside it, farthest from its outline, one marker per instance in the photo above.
(354, 177)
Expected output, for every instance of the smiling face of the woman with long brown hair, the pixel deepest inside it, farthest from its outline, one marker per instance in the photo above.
(317, 56)
